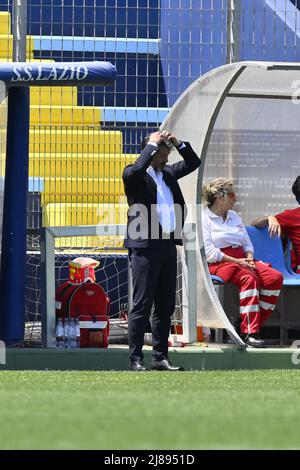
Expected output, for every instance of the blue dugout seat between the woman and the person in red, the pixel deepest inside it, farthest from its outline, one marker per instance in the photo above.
(270, 250)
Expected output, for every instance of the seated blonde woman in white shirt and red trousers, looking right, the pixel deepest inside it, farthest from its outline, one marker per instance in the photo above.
(229, 254)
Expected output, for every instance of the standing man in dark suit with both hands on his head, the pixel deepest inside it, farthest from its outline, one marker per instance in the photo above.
(155, 220)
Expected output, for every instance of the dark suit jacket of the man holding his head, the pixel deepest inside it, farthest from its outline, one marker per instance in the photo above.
(141, 192)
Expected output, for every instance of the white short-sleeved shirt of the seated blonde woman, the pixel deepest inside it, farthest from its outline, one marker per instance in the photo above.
(218, 233)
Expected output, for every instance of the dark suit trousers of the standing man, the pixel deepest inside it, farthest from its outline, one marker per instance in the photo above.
(154, 272)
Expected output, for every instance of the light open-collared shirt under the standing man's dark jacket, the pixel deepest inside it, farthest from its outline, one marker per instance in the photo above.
(165, 202)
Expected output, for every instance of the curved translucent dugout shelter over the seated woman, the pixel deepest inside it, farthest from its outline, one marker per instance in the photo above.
(243, 119)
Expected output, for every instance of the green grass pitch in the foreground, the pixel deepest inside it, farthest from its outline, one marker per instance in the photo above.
(154, 411)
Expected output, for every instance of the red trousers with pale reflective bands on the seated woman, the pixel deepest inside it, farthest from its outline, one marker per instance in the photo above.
(259, 289)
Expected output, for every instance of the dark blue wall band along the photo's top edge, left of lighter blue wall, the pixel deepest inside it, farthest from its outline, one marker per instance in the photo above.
(110, 18)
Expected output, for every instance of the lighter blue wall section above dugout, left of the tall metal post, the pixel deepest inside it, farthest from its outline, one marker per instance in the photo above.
(193, 41)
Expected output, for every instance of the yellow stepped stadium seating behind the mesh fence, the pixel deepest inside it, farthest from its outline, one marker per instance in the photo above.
(81, 164)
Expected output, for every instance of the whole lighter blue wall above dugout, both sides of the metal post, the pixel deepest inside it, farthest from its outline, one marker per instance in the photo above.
(194, 42)
